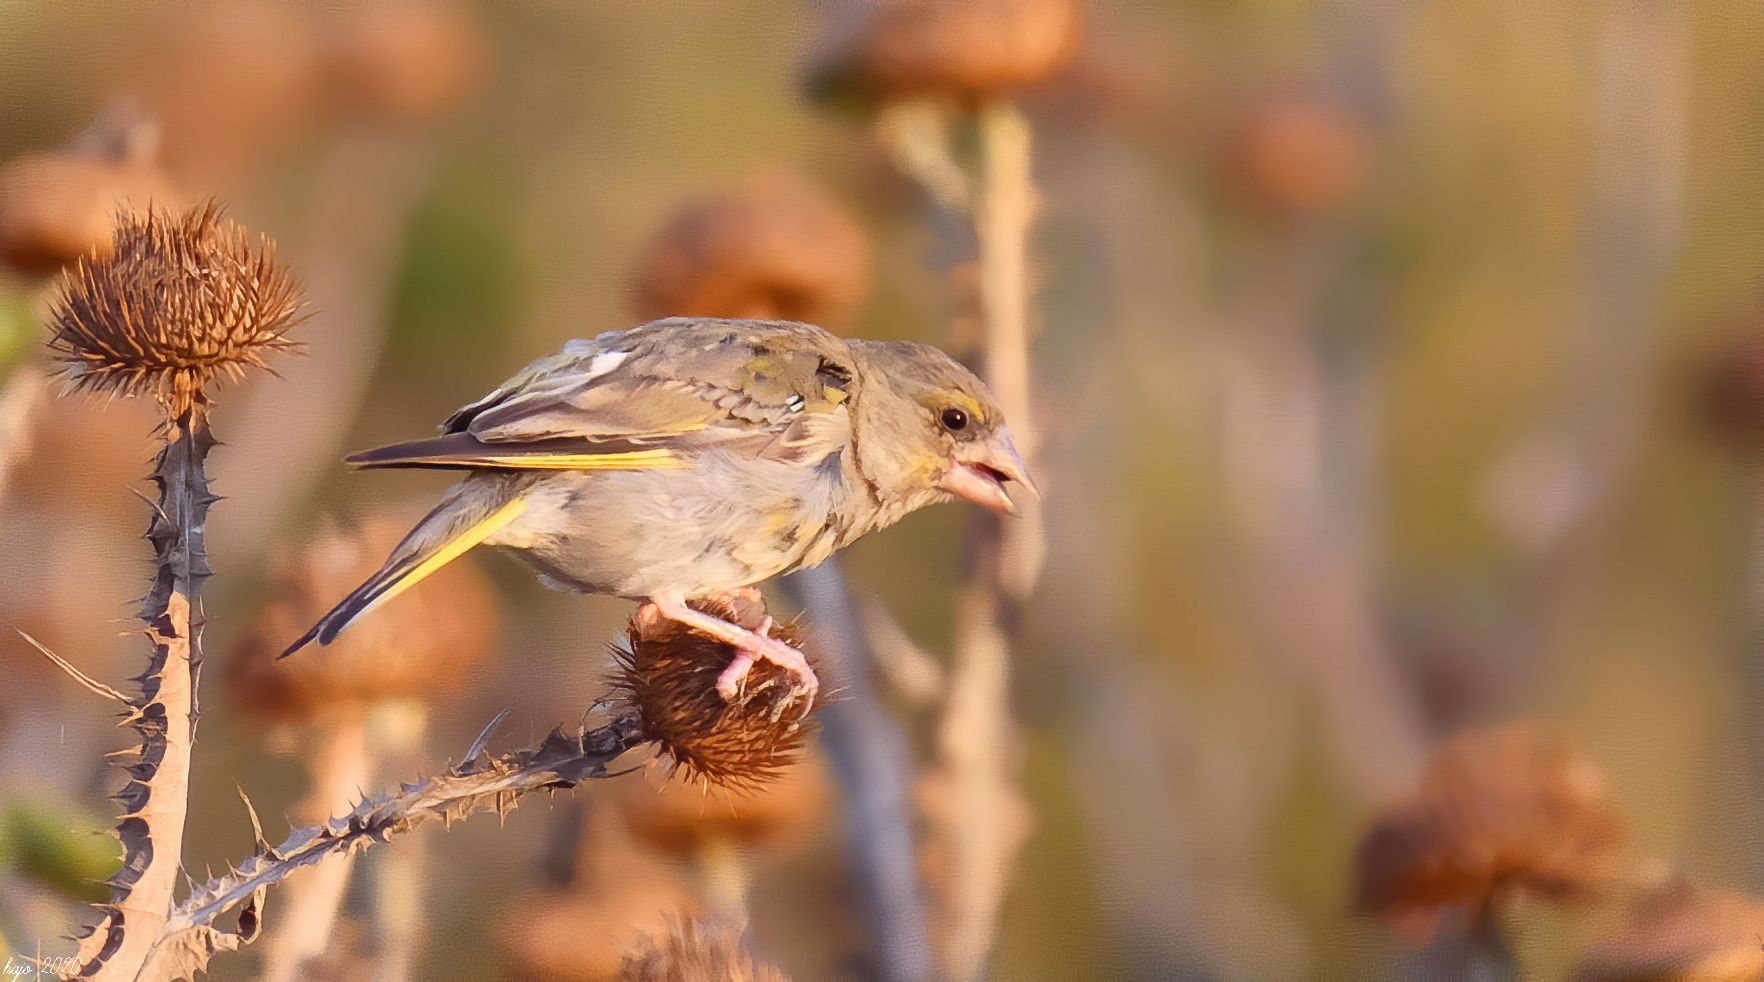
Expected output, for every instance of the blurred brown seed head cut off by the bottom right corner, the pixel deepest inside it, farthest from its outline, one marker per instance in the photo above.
(1687, 935)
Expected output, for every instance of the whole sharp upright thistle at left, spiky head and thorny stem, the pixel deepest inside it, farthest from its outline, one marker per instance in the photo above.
(179, 302)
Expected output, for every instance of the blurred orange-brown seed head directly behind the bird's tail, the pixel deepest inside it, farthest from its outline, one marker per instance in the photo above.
(424, 644)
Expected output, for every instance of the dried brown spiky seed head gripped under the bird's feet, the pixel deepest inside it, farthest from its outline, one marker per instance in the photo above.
(669, 676)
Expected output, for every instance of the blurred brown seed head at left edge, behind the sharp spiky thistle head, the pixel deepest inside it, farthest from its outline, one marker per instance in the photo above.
(59, 207)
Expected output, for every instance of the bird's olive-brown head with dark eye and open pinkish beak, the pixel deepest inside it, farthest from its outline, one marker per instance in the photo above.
(927, 428)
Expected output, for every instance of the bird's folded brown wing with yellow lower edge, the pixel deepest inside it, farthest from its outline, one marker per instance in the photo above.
(652, 398)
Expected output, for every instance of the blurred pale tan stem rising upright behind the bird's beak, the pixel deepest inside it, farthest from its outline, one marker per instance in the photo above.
(987, 815)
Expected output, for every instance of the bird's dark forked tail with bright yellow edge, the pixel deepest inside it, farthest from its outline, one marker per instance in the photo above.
(465, 519)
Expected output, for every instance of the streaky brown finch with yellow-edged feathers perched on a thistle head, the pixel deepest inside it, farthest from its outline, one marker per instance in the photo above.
(692, 459)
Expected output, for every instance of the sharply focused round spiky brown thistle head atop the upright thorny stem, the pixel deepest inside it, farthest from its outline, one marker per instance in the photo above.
(179, 302)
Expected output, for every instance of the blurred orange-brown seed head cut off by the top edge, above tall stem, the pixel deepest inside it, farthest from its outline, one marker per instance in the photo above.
(971, 52)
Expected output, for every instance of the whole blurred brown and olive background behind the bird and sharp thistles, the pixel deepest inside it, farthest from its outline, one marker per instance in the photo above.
(1398, 385)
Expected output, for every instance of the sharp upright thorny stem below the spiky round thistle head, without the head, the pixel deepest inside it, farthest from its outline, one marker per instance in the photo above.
(165, 713)
